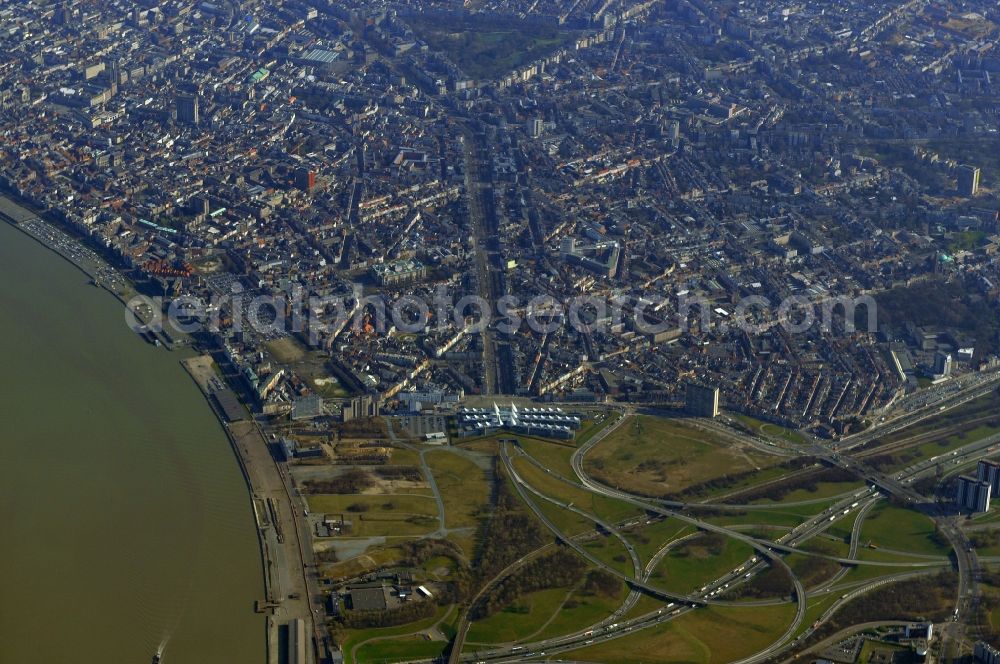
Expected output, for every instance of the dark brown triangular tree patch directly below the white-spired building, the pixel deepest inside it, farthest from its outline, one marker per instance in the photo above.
(507, 535)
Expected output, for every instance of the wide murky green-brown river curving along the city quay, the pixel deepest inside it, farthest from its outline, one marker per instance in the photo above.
(124, 518)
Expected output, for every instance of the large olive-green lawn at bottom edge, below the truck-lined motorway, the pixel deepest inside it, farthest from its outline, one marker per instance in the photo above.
(712, 635)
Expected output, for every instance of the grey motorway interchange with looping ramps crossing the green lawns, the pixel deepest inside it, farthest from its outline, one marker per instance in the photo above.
(768, 552)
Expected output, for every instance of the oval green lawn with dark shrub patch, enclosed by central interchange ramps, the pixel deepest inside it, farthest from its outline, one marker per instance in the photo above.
(694, 562)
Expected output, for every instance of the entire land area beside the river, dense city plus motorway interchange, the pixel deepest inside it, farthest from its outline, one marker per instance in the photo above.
(596, 330)
